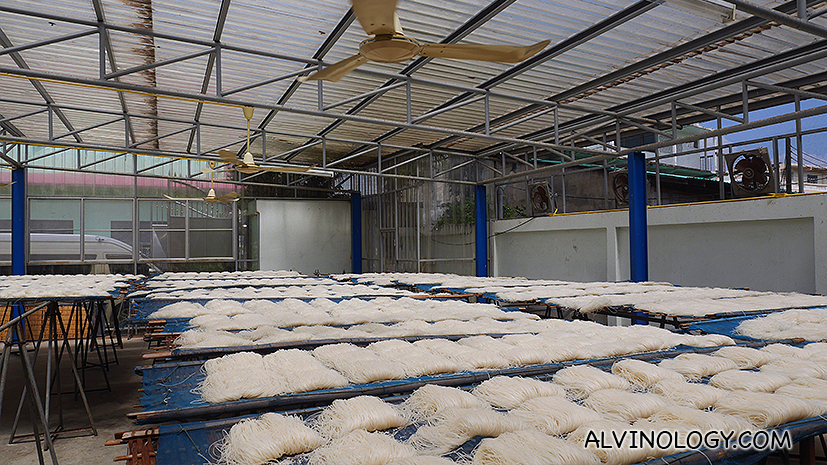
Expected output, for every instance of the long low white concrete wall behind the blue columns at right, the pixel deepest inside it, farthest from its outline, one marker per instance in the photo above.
(777, 244)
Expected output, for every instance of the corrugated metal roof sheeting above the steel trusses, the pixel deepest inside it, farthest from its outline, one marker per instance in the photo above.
(299, 28)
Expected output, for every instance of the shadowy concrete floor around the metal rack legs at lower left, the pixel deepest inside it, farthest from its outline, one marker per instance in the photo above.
(109, 409)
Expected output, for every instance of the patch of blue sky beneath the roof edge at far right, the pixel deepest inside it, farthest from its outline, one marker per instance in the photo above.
(815, 144)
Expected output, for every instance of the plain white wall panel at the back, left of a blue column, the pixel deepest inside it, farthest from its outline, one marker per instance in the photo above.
(305, 235)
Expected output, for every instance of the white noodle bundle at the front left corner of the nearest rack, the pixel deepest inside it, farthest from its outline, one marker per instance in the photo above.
(267, 438)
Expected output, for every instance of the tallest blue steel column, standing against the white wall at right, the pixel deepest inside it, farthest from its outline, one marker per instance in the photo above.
(638, 242)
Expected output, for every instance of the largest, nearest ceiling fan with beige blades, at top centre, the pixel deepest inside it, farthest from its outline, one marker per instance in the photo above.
(390, 45)
